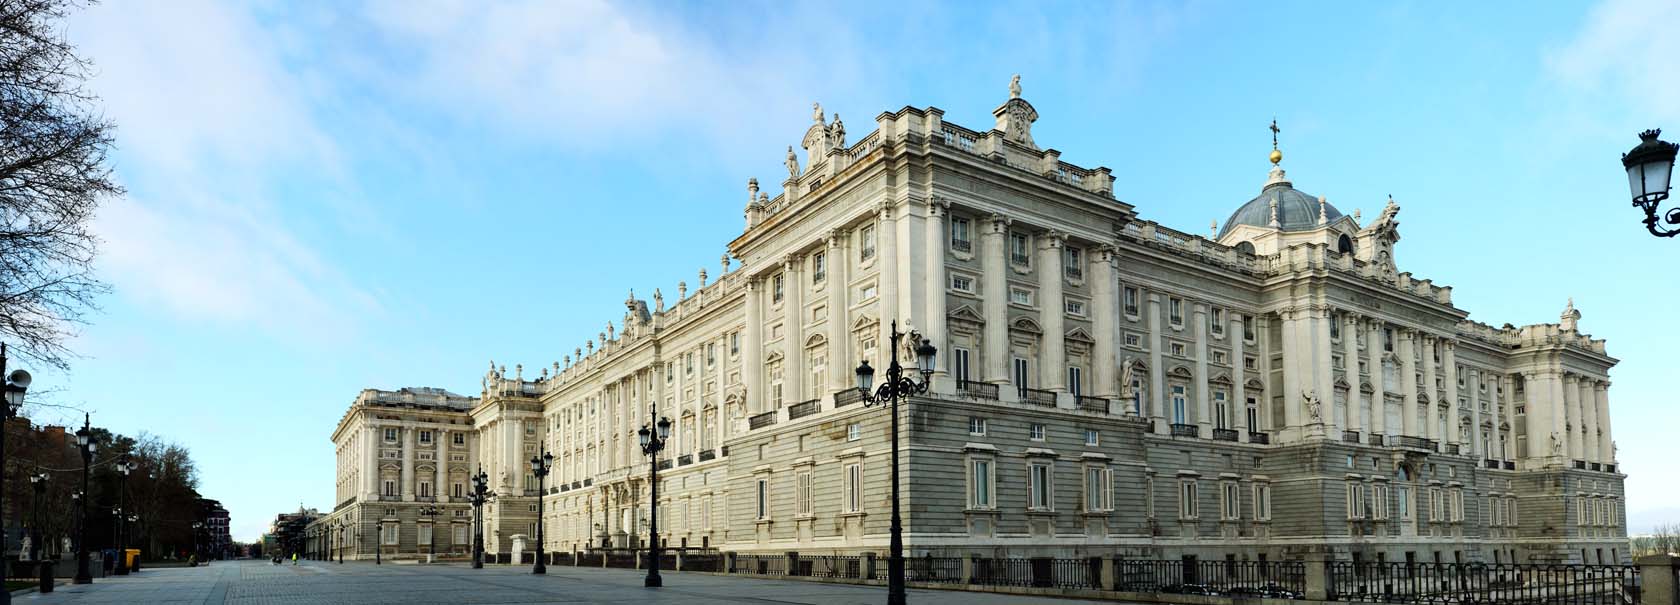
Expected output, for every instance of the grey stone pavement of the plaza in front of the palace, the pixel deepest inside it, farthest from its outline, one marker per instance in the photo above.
(317, 582)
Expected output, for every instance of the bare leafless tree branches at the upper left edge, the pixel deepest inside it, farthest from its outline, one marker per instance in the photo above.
(53, 177)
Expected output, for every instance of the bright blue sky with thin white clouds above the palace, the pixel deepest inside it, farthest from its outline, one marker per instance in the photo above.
(327, 197)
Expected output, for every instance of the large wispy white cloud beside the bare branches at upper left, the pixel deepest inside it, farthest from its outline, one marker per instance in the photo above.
(209, 125)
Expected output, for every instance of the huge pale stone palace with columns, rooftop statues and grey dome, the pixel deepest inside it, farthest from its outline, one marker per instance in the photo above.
(1105, 386)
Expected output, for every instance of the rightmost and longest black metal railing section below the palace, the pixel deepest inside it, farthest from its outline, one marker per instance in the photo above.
(1483, 584)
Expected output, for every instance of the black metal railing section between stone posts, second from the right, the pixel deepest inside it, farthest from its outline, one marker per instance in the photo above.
(1232, 579)
